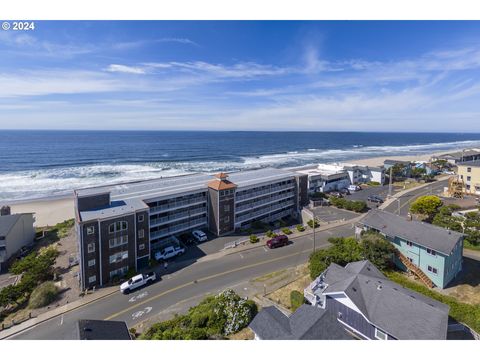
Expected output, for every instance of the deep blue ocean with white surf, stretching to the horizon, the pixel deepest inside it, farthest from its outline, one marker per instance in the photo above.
(37, 164)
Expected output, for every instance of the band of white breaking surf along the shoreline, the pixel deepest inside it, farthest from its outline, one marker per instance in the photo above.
(31, 184)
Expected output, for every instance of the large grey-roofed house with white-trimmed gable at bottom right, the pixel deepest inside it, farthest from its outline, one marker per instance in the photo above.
(365, 302)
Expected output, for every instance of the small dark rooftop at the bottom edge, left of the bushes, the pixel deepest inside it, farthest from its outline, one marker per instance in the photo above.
(102, 330)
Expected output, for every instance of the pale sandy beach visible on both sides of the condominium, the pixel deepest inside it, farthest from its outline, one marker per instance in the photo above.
(52, 211)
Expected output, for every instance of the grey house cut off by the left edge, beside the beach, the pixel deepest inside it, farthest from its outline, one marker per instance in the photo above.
(16, 231)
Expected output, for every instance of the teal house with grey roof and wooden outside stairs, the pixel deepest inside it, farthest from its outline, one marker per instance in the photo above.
(432, 253)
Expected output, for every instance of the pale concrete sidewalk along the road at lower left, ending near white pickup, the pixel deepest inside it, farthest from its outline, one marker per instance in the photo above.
(89, 298)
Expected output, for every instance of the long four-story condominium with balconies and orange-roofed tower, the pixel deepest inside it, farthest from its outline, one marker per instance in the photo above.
(120, 226)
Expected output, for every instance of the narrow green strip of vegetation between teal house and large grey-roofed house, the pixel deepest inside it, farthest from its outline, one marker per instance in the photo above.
(462, 312)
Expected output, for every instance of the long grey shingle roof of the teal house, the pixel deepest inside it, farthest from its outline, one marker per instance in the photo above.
(427, 235)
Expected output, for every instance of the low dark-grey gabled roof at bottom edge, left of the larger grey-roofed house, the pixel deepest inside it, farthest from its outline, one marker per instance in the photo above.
(306, 323)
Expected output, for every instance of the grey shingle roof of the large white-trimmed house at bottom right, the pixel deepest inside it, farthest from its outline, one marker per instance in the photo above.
(402, 313)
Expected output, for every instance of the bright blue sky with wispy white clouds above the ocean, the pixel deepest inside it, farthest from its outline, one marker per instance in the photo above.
(272, 75)
